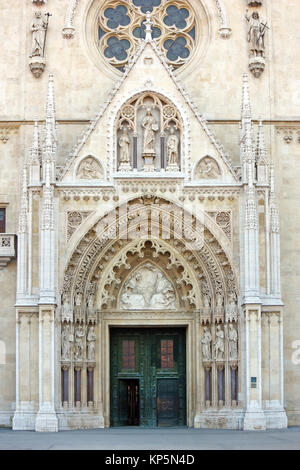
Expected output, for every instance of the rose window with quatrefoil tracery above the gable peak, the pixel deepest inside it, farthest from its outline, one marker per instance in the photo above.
(122, 26)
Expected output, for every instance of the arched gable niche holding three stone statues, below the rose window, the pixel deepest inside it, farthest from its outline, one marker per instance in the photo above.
(148, 135)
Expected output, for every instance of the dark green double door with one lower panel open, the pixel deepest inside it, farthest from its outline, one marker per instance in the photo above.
(148, 377)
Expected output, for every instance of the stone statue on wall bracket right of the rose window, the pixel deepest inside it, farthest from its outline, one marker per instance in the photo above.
(256, 39)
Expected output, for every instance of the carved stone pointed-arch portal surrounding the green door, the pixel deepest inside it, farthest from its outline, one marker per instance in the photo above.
(151, 264)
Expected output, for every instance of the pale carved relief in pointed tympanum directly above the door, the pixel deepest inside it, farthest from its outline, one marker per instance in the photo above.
(148, 289)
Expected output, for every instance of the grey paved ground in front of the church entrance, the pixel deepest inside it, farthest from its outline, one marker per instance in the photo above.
(151, 439)
